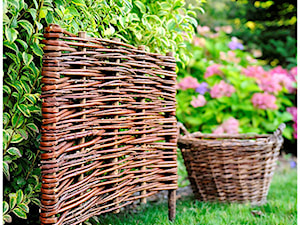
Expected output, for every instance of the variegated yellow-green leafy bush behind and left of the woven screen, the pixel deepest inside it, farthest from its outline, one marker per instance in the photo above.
(158, 25)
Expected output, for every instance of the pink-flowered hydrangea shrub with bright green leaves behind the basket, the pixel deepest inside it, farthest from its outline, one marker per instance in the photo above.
(224, 89)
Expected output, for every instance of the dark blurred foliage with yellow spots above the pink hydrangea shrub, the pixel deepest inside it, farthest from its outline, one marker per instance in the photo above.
(269, 26)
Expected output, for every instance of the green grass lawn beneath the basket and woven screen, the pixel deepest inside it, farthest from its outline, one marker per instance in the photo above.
(280, 209)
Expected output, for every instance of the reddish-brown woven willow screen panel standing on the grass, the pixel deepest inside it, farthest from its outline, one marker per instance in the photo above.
(109, 134)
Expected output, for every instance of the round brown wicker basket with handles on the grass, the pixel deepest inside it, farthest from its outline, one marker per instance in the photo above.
(231, 168)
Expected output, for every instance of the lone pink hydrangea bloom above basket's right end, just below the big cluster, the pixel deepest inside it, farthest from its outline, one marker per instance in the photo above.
(264, 101)
